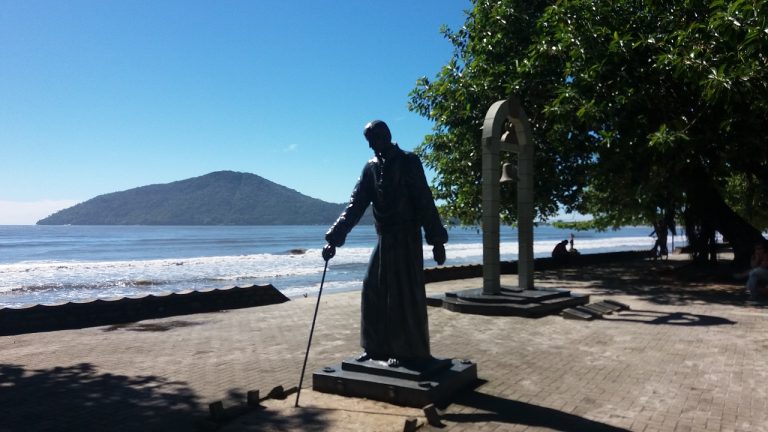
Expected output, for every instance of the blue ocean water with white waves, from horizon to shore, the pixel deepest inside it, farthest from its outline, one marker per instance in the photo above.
(55, 264)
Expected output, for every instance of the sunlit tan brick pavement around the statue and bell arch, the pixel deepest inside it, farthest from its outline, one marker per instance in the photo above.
(689, 356)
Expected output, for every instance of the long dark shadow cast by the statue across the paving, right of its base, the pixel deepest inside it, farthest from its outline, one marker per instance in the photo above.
(499, 410)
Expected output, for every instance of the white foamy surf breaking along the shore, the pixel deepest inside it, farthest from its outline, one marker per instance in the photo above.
(295, 274)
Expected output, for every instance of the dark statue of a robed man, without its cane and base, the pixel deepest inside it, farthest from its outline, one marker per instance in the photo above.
(394, 311)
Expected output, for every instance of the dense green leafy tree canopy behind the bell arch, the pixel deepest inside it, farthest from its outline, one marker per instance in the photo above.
(641, 111)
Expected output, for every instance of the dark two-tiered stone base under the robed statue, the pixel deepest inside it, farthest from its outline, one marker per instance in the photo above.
(416, 386)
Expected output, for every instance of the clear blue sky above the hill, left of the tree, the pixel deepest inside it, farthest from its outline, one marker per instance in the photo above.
(100, 96)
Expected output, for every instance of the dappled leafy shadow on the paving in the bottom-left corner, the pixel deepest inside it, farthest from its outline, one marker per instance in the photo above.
(79, 398)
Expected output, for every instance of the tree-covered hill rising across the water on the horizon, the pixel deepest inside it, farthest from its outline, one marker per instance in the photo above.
(218, 198)
